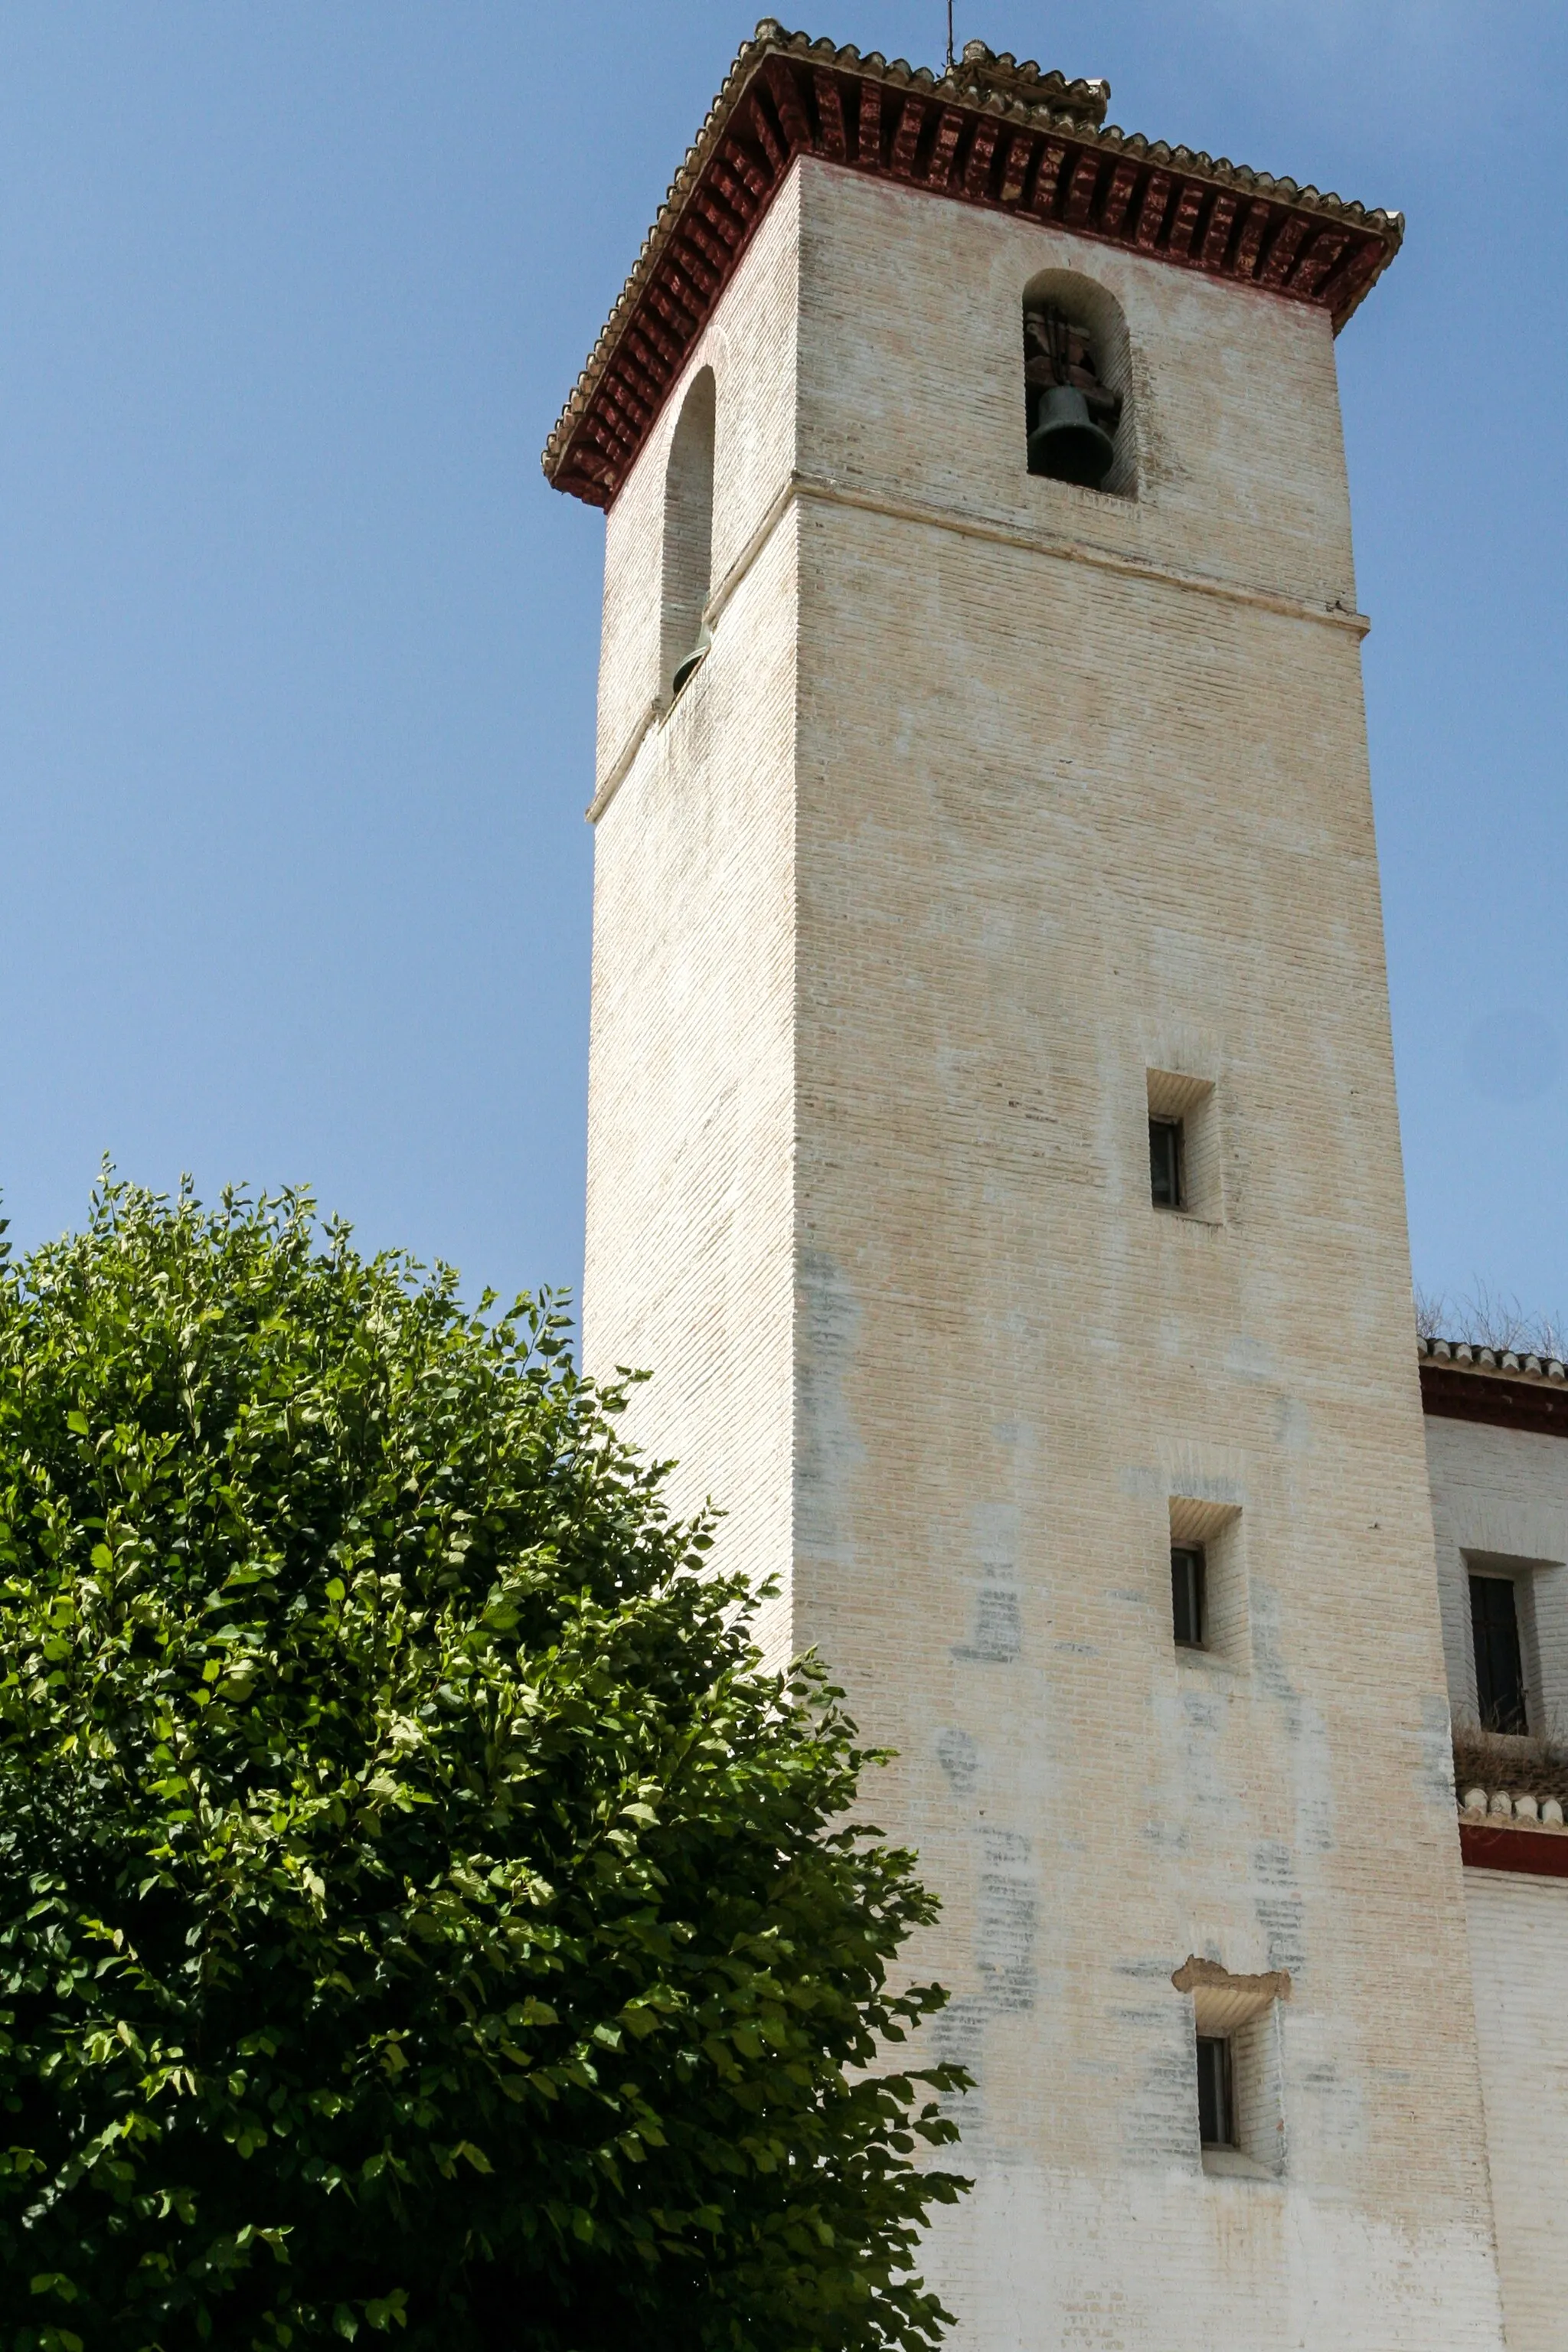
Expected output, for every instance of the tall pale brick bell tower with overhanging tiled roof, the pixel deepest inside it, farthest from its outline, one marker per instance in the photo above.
(993, 1151)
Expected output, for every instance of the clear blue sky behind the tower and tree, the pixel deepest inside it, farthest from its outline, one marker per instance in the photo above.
(297, 648)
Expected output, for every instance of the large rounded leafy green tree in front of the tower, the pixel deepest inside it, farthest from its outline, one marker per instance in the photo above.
(420, 1911)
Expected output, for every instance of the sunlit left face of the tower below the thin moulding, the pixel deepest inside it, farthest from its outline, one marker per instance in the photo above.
(692, 1083)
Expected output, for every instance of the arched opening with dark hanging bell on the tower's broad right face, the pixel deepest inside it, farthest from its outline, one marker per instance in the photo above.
(1078, 385)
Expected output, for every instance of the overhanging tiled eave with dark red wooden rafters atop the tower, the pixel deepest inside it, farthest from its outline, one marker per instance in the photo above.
(986, 133)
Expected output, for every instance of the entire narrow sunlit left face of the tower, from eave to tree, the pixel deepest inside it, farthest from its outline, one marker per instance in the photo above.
(692, 1041)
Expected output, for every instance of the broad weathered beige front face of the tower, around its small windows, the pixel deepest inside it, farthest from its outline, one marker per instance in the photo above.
(1059, 829)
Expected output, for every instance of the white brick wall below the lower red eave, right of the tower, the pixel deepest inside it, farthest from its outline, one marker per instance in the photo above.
(1520, 1953)
